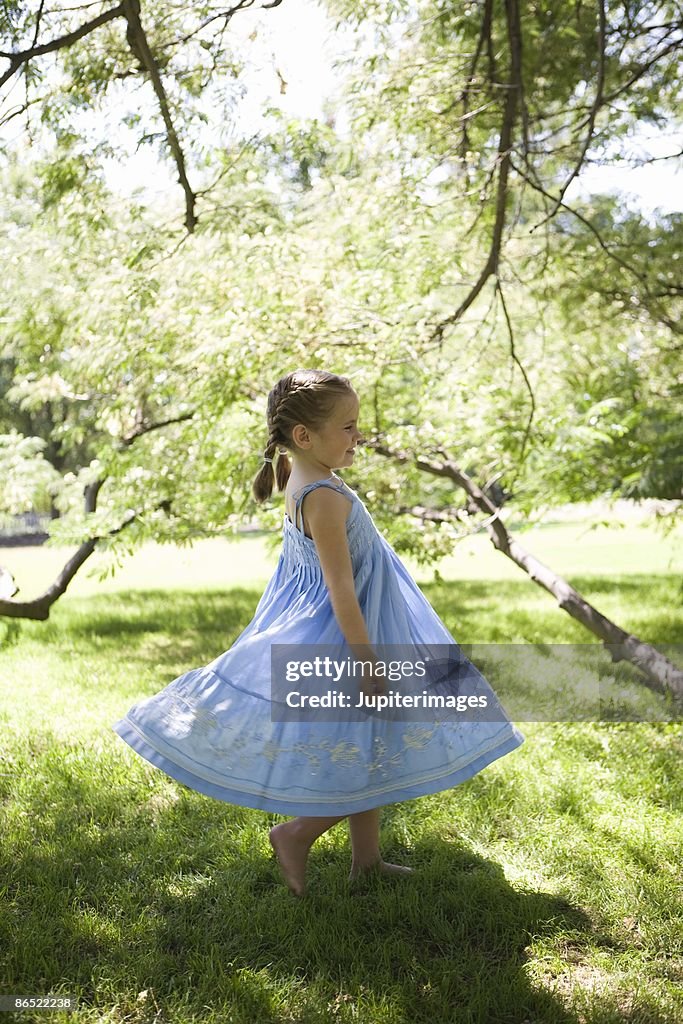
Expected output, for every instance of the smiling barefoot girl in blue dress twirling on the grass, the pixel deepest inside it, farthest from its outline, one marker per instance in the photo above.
(337, 581)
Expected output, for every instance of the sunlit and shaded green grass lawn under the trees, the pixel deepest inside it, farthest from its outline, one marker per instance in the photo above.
(548, 887)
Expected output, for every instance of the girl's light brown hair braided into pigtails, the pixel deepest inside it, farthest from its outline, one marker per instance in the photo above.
(305, 397)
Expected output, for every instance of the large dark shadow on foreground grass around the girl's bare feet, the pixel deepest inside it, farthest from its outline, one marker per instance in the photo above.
(115, 888)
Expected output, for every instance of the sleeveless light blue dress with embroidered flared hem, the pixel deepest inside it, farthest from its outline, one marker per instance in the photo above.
(212, 728)
